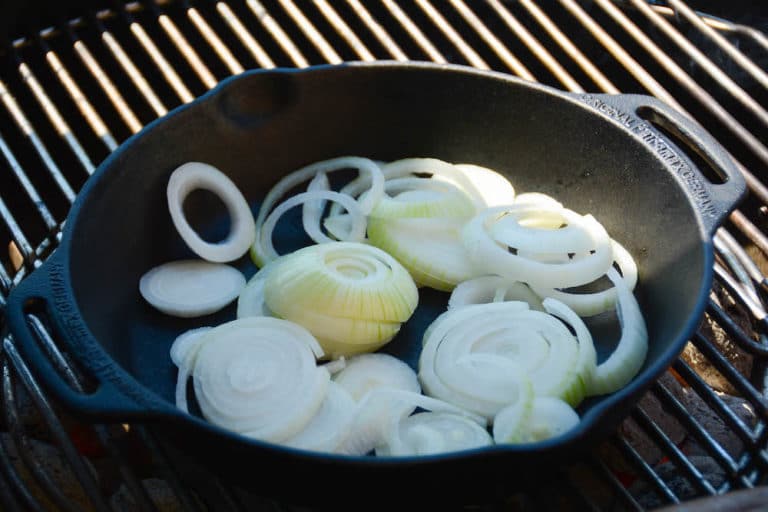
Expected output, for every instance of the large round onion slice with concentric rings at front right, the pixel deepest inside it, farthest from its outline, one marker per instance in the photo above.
(483, 357)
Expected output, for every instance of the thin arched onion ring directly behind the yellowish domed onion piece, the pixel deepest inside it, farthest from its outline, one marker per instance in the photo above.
(263, 251)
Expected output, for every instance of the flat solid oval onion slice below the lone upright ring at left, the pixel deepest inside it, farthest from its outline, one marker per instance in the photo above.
(191, 288)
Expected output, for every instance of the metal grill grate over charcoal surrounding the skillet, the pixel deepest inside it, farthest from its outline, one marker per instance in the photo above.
(77, 80)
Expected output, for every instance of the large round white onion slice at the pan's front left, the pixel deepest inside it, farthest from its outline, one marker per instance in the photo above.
(258, 376)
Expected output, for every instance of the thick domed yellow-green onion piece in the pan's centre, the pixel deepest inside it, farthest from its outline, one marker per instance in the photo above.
(352, 297)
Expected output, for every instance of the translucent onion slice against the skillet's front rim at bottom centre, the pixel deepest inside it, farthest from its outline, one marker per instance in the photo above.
(429, 433)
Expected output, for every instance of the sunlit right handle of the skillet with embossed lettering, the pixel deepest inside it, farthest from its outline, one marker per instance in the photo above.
(643, 114)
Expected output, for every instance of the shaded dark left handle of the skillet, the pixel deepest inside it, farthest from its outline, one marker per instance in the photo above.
(41, 312)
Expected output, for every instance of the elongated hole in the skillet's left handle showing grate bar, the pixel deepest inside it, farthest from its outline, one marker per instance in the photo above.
(50, 340)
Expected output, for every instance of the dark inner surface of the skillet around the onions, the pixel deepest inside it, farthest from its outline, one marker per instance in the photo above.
(260, 126)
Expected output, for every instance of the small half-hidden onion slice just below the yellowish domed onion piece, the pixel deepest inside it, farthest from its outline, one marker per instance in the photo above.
(365, 372)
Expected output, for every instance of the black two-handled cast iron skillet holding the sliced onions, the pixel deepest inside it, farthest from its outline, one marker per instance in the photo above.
(600, 154)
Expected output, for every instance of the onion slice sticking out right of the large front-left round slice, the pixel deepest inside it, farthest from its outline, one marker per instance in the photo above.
(329, 425)
